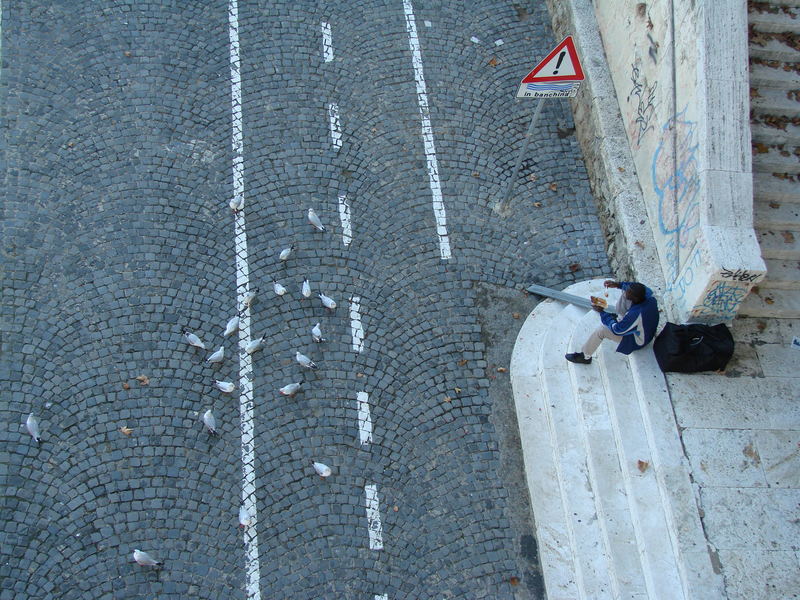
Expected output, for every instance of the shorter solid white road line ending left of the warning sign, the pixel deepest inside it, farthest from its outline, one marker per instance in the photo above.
(427, 133)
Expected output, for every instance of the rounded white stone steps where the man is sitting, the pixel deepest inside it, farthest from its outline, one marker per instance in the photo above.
(615, 512)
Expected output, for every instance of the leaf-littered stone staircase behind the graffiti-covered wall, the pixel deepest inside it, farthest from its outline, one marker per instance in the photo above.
(775, 128)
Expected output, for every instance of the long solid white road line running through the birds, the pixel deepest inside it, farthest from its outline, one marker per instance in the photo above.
(253, 570)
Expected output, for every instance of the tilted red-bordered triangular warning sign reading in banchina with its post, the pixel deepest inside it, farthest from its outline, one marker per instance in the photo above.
(558, 75)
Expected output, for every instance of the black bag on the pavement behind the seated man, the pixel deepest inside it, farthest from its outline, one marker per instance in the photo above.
(693, 348)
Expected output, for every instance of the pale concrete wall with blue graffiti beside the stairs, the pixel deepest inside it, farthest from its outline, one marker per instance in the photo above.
(680, 72)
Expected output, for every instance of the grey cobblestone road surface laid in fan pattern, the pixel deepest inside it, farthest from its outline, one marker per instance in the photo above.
(117, 235)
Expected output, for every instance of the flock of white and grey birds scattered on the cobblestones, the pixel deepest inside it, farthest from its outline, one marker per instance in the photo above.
(227, 387)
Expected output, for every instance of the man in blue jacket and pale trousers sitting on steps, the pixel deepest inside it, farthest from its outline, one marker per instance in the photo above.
(637, 324)
